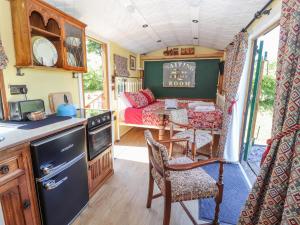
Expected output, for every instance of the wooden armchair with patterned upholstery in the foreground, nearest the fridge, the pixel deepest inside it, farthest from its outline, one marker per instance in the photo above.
(180, 179)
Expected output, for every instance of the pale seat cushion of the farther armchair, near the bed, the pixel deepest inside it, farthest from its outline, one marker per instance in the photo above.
(202, 138)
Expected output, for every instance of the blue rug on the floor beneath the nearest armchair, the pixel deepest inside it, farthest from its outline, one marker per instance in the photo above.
(236, 190)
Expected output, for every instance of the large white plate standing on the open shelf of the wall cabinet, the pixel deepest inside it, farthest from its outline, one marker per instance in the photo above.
(44, 52)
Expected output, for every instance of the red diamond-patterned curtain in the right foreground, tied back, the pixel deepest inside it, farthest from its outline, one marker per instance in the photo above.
(275, 196)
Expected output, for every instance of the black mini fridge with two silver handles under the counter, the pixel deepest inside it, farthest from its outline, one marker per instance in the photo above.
(60, 168)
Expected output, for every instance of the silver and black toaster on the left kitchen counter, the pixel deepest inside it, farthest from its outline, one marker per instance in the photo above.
(20, 110)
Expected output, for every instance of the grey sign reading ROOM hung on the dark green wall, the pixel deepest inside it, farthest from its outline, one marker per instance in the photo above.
(179, 74)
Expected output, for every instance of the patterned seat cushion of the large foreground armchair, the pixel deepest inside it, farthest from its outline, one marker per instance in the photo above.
(187, 185)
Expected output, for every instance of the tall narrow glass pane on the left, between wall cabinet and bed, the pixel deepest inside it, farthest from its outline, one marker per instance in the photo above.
(93, 80)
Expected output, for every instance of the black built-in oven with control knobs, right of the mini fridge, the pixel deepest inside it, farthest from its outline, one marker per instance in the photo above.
(99, 134)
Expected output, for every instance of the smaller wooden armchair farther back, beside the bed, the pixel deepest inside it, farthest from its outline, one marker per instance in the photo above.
(197, 138)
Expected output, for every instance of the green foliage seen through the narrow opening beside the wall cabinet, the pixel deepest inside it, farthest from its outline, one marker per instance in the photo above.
(93, 79)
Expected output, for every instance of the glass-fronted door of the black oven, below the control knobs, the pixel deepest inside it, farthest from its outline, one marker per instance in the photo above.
(99, 139)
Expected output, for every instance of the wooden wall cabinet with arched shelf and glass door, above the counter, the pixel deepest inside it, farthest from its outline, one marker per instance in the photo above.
(33, 18)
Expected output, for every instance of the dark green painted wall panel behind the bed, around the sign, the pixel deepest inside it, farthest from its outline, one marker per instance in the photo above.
(206, 78)
